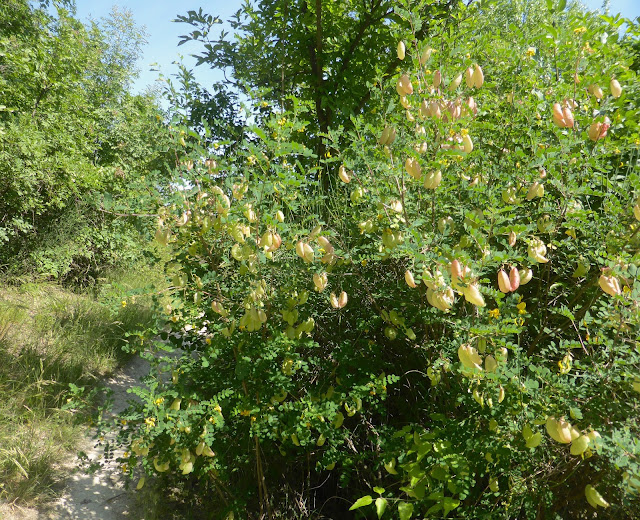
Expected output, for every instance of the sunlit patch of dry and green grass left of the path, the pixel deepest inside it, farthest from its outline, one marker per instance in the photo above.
(55, 343)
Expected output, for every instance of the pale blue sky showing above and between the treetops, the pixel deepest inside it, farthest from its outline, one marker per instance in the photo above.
(157, 16)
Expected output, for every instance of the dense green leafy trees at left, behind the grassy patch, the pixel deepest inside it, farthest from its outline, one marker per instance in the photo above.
(73, 142)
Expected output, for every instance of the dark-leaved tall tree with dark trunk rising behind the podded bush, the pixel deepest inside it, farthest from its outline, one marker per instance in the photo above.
(326, 53)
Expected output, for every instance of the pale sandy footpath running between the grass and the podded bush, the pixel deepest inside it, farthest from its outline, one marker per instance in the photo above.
(99, 495)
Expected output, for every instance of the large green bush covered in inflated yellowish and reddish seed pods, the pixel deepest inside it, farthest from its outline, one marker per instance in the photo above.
(410, 372)
